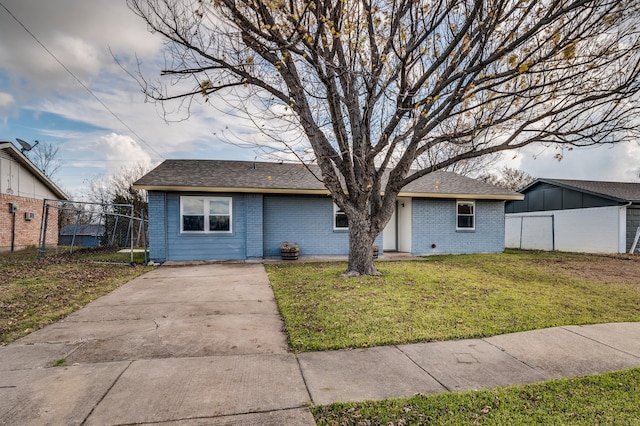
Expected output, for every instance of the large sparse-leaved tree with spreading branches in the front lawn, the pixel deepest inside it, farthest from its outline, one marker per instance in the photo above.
(376, 85)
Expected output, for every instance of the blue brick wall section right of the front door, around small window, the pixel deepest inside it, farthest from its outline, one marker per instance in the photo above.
(434, 222)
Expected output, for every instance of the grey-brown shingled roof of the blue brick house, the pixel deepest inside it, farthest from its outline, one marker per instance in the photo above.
(248, 176)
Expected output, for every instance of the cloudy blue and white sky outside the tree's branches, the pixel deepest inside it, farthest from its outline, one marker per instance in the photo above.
(101, 122)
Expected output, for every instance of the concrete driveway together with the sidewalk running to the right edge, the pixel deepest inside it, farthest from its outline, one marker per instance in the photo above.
(204, 344)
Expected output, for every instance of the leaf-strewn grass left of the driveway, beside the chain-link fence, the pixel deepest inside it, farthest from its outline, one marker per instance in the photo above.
(36, 292)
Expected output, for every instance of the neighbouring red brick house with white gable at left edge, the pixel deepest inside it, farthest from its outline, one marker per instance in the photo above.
(23, 187)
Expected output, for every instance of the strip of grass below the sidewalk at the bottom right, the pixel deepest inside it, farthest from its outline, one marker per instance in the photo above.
(607, 399)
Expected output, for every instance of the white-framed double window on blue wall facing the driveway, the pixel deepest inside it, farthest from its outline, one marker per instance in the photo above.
(205, 214)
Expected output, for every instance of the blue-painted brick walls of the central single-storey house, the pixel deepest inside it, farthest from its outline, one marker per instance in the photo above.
(262, 222)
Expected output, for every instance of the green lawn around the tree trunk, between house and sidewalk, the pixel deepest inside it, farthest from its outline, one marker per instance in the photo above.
(452, 297)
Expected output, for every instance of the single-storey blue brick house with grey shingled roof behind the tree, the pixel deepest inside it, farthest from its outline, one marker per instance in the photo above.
(224, 210)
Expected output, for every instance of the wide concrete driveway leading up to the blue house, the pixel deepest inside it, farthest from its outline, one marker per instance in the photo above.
(186, 345)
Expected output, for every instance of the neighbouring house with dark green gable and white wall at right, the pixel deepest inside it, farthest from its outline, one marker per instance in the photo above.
(575, 216)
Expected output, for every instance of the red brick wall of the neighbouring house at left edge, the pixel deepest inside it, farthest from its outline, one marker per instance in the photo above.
(27, 231)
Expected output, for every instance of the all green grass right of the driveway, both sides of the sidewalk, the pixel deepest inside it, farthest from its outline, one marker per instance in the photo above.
(465, 296)
